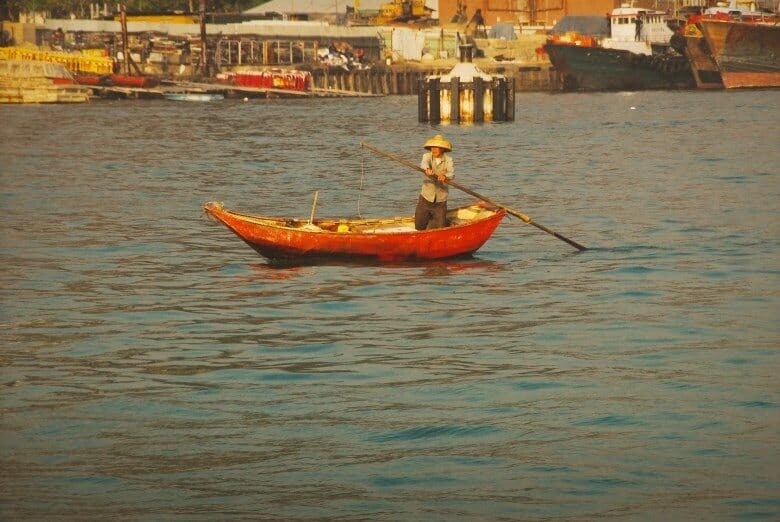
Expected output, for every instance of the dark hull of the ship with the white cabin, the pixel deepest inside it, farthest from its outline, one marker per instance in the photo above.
(582, 68)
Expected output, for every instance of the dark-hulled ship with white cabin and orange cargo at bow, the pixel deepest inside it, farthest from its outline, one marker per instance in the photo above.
(636, 55)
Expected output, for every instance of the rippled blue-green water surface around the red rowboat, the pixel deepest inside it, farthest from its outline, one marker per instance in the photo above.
(154, 367)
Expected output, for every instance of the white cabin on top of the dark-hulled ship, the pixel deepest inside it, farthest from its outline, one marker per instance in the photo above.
(634, 29)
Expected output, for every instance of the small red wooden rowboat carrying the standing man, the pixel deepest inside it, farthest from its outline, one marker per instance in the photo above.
(384, 239)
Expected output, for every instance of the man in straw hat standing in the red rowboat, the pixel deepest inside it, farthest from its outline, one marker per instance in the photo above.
(431, 209)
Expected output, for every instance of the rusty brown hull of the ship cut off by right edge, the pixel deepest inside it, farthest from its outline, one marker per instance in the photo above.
(747, 54)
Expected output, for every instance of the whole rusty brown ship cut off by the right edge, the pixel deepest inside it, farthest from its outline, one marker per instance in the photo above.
(733, 45)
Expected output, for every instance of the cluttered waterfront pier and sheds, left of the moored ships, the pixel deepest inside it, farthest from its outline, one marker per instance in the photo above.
(176, 56)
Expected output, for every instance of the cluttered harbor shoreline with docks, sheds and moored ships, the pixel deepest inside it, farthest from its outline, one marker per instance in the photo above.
(638, 49)
